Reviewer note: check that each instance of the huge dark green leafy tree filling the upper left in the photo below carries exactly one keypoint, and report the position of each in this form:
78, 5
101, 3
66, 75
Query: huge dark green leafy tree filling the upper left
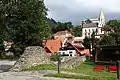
23, 21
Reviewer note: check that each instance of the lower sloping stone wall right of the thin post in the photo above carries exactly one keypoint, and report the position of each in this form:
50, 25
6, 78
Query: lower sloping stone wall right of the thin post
72, 62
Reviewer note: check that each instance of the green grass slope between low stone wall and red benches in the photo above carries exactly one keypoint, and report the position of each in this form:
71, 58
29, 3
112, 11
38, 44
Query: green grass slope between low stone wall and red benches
87, 68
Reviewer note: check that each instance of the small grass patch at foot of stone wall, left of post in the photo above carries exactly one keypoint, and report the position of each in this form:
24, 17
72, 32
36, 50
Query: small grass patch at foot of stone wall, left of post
42, 67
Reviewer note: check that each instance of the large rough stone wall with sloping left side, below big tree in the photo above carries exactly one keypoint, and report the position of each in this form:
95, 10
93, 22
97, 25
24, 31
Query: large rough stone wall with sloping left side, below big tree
32, 56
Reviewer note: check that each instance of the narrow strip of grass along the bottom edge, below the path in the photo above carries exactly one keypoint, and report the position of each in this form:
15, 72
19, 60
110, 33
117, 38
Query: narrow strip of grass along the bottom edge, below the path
80, 77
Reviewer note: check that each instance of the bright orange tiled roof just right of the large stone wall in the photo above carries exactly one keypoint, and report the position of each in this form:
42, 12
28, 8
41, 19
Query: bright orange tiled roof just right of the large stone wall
53, 45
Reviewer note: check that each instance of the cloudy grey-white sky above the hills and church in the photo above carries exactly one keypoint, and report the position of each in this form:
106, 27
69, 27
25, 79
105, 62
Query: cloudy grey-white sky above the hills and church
78, 10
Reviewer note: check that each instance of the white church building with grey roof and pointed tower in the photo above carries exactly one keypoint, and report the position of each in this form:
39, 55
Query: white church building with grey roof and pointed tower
95, 25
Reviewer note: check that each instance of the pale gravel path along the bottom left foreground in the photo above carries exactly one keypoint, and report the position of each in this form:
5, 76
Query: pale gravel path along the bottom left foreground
28, 76
